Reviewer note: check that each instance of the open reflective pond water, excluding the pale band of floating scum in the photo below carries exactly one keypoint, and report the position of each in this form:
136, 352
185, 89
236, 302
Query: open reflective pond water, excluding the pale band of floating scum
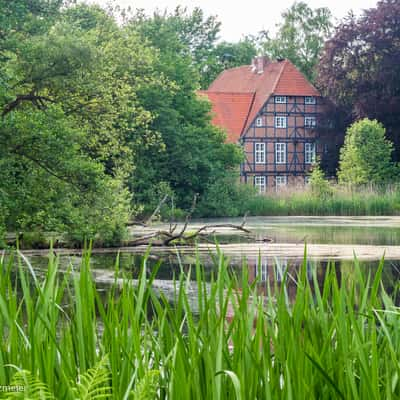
377, 231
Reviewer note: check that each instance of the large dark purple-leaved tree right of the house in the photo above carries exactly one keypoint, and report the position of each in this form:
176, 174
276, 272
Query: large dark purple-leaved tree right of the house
360, 68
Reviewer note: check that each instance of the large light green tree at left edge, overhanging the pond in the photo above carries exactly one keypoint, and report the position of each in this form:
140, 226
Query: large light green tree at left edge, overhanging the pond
71, 122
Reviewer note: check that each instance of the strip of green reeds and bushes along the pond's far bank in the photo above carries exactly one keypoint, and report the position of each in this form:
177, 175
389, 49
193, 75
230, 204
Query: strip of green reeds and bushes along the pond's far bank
326, 199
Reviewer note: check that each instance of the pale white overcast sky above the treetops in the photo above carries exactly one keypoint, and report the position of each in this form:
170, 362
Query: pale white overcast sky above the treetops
241, 17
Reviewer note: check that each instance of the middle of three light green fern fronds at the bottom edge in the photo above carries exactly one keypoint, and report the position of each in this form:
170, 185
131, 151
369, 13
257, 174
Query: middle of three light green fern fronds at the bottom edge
94, 384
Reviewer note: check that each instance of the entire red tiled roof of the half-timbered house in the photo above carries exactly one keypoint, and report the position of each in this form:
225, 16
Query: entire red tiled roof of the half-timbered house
277, 78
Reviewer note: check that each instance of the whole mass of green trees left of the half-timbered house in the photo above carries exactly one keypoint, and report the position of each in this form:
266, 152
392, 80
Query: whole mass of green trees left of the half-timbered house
92, 111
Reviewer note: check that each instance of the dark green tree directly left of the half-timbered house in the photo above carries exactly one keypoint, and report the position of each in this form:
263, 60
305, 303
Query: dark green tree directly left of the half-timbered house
192, 152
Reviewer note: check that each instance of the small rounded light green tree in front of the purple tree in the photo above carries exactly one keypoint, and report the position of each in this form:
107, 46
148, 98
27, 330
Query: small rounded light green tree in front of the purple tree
366, 155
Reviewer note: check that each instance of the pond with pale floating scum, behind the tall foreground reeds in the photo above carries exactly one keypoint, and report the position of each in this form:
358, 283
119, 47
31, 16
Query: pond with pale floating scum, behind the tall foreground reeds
332, 240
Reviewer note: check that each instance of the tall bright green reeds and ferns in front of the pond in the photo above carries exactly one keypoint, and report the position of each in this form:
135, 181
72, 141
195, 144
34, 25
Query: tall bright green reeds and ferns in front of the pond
62, 338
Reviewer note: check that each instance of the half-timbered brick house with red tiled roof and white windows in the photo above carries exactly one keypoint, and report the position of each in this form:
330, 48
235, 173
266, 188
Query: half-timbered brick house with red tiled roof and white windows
272, 110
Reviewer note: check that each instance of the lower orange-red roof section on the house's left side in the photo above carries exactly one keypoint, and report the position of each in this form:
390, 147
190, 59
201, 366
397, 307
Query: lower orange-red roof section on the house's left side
230, 111
